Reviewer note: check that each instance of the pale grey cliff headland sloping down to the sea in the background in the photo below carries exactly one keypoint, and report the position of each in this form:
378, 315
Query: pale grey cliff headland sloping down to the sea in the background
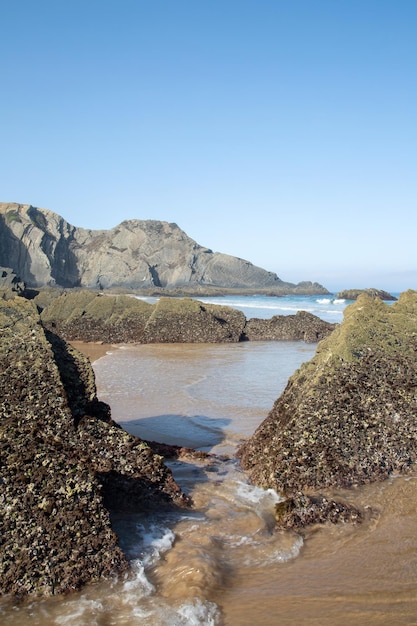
43, 249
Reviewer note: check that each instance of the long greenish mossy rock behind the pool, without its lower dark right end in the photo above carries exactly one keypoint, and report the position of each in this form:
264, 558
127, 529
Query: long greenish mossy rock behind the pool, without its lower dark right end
89, 316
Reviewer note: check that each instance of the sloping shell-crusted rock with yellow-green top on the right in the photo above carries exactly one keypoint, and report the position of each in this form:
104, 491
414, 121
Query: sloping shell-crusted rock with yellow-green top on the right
347, 417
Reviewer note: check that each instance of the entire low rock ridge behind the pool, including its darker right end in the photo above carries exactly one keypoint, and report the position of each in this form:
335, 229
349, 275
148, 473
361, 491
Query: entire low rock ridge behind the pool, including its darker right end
90, 316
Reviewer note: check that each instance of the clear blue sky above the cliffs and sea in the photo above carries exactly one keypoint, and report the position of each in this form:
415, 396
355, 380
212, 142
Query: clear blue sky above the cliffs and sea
283, 132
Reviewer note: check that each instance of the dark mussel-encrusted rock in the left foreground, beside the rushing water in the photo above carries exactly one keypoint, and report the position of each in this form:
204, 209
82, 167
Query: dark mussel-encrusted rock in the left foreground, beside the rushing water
65, 465
